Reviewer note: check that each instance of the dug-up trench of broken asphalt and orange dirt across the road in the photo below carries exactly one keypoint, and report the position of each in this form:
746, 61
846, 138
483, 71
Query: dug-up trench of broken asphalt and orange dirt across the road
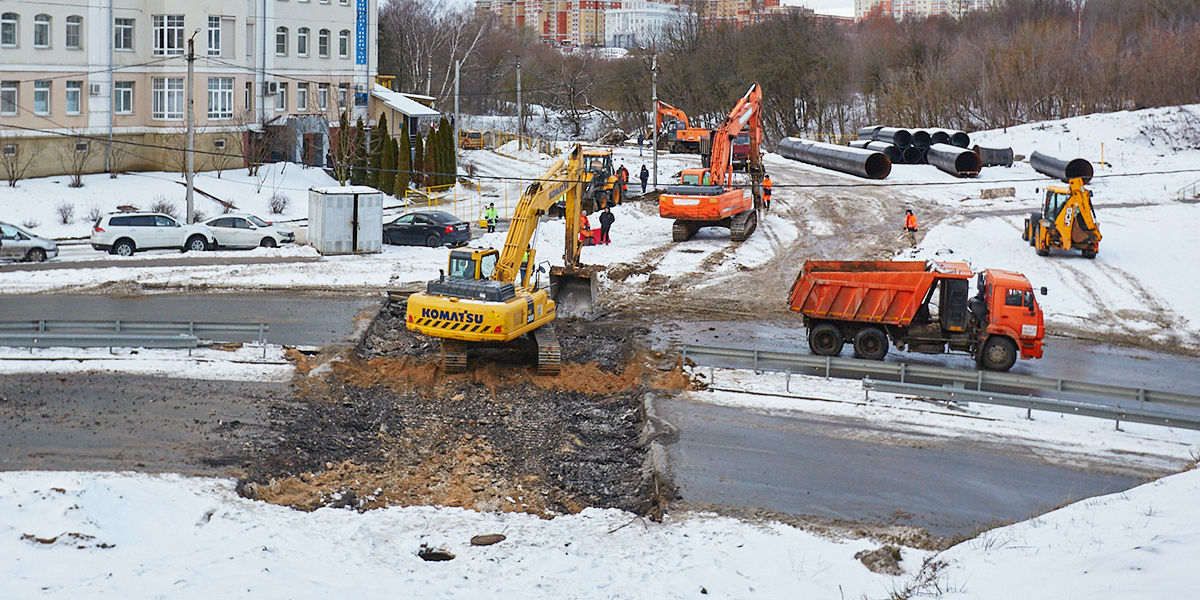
385, 427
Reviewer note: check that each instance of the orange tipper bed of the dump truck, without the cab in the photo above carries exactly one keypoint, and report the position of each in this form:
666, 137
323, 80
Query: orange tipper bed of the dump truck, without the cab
883, 292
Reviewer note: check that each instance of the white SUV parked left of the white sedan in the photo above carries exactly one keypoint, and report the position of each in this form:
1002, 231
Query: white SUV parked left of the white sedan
125, 233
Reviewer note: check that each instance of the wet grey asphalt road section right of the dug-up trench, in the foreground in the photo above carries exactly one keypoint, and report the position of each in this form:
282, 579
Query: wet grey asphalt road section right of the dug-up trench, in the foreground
803, 466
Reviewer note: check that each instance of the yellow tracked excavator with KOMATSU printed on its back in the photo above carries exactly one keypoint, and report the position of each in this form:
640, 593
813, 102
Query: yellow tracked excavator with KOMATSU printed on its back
490, 298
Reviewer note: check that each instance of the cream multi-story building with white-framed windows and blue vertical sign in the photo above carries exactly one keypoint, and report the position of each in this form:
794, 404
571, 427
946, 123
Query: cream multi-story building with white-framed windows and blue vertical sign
116, 70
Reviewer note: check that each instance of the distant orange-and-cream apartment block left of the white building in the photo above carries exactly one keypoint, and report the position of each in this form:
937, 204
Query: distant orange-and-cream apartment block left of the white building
560, 22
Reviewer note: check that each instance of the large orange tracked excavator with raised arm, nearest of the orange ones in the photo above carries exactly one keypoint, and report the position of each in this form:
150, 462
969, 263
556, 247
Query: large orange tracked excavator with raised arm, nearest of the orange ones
707, 197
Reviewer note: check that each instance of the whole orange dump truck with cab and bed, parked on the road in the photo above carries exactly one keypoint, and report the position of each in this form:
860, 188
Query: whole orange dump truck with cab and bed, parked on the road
921, 307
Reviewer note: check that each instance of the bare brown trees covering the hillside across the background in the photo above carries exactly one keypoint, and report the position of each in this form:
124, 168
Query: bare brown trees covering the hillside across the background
1021, 62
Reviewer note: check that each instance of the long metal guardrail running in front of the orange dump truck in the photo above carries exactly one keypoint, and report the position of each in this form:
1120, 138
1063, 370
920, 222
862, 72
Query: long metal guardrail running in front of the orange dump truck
987, 385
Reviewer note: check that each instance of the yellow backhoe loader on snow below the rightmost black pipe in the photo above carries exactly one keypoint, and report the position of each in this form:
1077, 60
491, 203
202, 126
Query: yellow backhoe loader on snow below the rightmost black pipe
1067, 221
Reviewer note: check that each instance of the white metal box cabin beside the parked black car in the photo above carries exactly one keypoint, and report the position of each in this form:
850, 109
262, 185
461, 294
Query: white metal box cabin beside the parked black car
346, 220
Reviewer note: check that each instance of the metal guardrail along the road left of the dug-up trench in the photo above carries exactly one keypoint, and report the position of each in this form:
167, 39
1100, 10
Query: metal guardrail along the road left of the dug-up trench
97, 334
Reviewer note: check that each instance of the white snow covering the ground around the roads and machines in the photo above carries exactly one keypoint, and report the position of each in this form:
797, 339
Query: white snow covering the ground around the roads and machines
151, 537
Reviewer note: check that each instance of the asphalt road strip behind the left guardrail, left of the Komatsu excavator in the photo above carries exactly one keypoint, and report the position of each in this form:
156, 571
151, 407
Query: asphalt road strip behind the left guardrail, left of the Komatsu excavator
296, 320
